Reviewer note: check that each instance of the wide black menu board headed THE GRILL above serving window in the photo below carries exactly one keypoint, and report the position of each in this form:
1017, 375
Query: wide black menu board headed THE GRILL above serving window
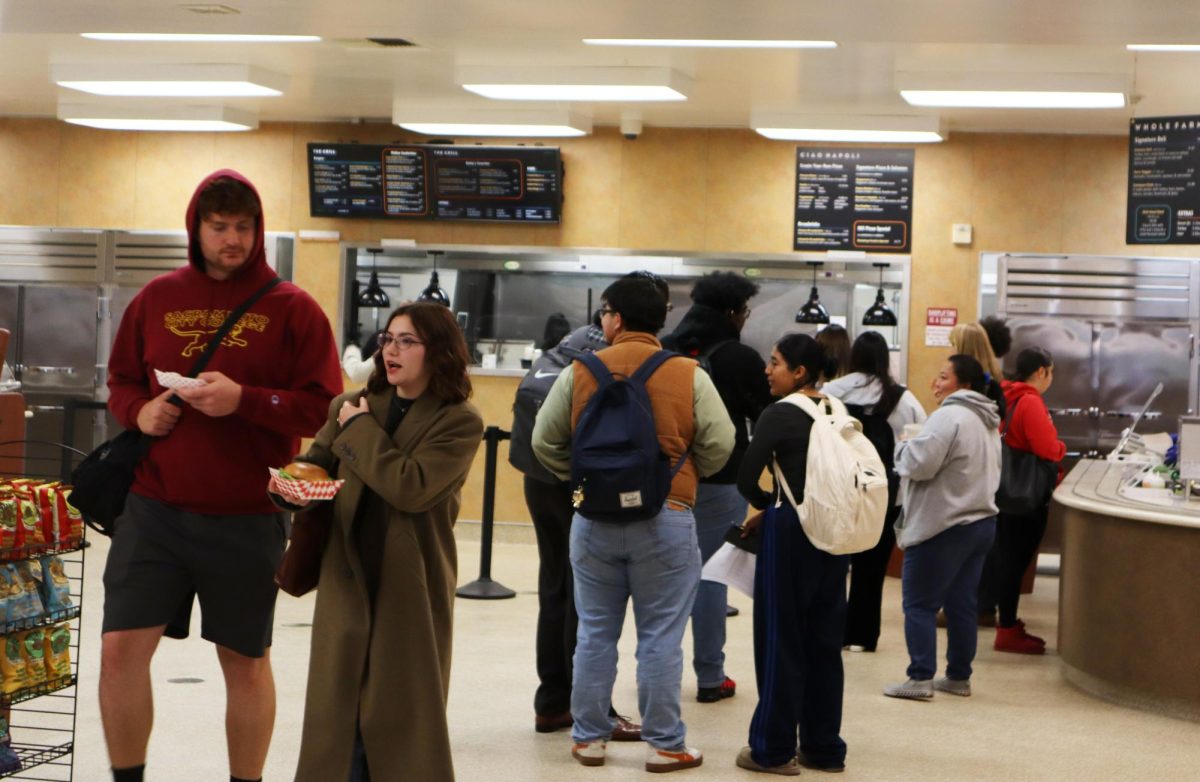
436, 182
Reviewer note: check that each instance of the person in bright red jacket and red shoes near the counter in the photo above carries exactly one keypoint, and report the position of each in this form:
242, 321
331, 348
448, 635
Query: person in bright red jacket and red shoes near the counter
1029, 429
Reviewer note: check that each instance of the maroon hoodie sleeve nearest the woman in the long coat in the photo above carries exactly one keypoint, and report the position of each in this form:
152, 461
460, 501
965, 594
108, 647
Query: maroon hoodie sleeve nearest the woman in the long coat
302, 408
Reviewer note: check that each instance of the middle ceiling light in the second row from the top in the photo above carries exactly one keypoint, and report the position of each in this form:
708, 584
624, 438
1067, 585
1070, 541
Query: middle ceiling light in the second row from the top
577, 85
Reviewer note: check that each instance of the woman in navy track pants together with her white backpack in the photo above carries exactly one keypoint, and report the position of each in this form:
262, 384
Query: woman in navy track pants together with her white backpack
800, 607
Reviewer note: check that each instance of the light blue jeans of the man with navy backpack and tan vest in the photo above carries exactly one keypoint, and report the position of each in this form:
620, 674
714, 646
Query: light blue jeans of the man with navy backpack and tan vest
657, 564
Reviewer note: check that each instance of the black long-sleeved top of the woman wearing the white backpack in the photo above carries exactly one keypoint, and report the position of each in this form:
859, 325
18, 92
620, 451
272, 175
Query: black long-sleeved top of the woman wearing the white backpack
782, 434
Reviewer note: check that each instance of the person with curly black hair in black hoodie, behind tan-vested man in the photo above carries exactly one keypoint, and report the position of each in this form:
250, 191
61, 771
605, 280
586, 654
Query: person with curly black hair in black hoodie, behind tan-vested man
711, 333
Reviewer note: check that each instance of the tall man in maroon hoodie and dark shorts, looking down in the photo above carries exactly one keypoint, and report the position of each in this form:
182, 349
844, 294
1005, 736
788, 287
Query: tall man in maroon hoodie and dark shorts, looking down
199, 522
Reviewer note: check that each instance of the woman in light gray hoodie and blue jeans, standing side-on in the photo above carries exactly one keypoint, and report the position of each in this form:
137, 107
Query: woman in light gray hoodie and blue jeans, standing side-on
952, 473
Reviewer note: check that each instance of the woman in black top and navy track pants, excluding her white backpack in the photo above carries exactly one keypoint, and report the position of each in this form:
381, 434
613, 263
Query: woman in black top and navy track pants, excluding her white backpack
800, 607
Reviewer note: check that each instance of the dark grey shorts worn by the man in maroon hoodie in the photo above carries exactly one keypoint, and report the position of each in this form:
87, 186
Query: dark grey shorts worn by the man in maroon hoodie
163, 558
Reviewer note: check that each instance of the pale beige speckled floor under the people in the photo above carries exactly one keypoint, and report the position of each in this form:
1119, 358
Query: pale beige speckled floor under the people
1024, 723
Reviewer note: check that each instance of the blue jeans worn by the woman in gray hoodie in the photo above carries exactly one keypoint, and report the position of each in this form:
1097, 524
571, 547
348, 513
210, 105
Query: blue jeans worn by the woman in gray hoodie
944, 573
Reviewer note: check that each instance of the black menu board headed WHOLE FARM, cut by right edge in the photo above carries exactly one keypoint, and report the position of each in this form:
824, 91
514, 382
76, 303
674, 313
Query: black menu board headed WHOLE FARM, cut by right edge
1165, 203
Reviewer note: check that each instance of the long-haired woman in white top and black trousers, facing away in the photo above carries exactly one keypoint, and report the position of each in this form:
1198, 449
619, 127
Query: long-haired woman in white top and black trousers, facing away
885, 408
